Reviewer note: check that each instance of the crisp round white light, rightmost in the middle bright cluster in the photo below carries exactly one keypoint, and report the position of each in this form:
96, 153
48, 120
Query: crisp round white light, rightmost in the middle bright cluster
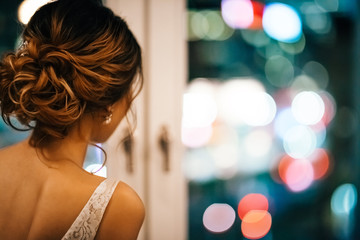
308, 107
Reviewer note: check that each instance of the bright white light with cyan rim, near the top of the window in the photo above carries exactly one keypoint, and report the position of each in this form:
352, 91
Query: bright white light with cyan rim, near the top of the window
282, 22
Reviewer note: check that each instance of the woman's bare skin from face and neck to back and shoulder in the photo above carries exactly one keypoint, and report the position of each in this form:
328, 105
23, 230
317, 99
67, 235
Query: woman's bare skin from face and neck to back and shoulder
42, 192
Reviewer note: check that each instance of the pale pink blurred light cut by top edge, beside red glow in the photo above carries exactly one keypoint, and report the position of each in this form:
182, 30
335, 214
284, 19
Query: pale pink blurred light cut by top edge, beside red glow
237, 13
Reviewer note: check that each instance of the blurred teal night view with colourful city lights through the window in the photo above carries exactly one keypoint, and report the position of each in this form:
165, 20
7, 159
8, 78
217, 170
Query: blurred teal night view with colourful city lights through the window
270, 117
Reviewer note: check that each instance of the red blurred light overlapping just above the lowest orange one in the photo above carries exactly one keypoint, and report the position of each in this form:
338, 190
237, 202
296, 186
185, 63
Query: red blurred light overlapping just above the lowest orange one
252, 201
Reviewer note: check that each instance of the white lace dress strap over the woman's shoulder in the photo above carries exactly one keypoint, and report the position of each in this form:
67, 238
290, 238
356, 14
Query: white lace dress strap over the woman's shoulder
87, 223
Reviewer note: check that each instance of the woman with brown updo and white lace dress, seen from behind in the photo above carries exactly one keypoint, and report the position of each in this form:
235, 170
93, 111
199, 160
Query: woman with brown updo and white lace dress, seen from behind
71, 82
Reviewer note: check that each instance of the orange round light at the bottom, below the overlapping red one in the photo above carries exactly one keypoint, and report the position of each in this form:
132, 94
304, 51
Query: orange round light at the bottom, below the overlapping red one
256, 224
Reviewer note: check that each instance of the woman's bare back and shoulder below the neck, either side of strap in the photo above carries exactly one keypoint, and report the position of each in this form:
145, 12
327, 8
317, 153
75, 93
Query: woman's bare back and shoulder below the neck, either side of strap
41, 202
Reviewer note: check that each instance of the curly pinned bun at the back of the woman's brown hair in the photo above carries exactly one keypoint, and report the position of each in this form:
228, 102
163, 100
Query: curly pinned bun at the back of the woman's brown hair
33, 88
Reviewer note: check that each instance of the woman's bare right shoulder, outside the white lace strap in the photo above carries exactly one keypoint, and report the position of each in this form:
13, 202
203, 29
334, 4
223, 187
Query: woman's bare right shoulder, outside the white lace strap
124, 215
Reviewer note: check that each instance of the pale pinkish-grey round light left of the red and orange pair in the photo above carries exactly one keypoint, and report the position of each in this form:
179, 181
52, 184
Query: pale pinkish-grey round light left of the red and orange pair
218, 217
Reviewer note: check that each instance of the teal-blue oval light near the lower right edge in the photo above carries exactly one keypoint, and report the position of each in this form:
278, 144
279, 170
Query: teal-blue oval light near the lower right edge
344, 199
